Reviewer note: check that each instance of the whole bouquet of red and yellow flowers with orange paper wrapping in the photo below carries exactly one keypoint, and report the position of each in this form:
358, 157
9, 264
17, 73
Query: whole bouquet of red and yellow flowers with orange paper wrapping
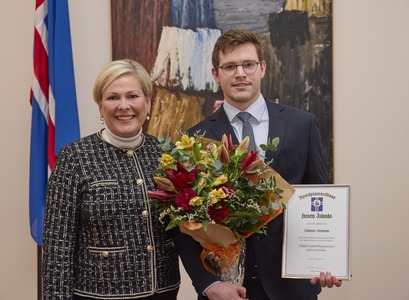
219, 194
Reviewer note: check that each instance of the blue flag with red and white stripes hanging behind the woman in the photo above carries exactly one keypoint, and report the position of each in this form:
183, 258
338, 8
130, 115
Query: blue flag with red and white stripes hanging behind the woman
53, 99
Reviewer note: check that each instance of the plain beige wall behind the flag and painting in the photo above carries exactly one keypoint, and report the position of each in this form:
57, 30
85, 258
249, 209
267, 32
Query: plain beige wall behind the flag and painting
371, 103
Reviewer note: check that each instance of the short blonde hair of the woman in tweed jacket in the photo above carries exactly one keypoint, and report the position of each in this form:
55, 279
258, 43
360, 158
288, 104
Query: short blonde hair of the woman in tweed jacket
117, 68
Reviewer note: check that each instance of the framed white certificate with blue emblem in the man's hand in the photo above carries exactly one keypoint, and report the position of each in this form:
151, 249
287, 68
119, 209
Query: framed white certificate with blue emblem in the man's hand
316, 232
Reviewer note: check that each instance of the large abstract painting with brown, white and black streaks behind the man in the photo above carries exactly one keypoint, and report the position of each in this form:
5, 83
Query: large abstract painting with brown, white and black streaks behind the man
174, 39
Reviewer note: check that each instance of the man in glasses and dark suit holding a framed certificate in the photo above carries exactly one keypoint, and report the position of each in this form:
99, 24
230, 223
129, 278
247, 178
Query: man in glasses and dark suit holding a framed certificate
238, 67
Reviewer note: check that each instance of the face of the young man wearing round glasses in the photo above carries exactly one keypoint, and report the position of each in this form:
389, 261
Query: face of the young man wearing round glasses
240, 90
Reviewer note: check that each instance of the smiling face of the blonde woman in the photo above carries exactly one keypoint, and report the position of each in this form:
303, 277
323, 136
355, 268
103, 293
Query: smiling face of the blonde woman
124, 106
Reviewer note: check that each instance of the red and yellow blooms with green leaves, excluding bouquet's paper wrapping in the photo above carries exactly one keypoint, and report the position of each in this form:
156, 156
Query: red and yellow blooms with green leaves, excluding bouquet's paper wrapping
225, 185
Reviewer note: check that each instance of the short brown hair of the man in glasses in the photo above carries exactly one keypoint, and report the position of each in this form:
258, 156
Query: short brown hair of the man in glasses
231, 39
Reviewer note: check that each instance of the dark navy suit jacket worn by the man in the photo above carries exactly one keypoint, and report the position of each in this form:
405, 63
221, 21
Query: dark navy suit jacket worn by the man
299, 160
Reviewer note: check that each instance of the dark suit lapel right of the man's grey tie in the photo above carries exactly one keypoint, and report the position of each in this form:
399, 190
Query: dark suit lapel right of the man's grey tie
277, 127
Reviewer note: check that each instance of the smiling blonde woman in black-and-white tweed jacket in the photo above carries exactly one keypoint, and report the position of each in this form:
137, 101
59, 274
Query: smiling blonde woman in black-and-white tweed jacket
102, 238
